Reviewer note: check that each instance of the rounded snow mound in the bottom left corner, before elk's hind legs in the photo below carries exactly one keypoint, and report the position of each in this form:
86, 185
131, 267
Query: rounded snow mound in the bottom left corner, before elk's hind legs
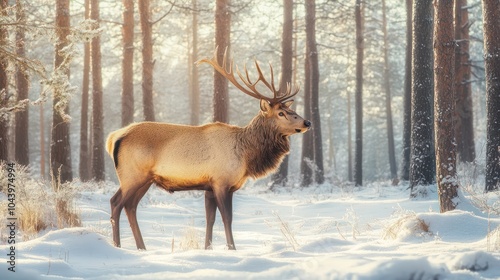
74, 252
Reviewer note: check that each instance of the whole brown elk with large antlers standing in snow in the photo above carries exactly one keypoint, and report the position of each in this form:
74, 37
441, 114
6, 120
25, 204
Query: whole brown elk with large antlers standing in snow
217, 158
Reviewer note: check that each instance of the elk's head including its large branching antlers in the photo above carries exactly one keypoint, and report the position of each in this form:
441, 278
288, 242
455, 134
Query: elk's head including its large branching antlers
276, 108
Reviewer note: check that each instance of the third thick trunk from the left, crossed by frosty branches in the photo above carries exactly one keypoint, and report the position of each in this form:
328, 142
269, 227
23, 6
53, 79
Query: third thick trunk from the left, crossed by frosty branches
60, 150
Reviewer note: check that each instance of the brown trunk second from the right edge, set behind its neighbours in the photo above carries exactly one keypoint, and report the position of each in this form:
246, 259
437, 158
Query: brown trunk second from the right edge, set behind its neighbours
464, 130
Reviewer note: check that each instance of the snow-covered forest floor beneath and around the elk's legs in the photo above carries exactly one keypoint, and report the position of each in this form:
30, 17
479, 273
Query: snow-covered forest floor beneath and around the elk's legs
324, 232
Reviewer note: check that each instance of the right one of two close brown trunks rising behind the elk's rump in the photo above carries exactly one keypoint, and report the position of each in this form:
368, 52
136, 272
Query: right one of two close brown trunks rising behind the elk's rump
147, 60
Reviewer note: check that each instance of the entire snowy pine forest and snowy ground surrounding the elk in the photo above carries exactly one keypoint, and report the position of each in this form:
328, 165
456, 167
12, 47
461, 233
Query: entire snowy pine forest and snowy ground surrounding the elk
397, 179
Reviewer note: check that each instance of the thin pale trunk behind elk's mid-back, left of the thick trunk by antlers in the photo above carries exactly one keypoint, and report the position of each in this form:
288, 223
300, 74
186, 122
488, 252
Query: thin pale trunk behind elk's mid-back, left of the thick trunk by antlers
195, 83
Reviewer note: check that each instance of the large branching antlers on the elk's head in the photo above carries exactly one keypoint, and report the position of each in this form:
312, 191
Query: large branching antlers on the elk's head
250, 88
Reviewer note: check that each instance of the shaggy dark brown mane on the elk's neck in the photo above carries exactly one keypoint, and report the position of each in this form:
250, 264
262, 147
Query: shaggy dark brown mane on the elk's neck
262, 146
